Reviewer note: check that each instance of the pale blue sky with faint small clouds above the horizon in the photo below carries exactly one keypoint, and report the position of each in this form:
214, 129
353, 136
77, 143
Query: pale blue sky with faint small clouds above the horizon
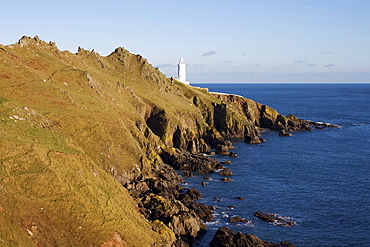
220, 41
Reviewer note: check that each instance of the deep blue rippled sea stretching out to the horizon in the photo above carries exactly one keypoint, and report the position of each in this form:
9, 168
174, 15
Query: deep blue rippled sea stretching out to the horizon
320, 179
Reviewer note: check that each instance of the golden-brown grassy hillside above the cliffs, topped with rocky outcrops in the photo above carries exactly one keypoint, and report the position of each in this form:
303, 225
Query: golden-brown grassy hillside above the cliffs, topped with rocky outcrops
71, 124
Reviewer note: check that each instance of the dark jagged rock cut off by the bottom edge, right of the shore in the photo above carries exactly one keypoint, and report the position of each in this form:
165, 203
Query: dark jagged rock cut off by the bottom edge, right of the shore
227, 237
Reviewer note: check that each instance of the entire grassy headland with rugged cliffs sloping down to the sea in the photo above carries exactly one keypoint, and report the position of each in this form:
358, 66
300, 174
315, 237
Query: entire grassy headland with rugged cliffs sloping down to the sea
87, 144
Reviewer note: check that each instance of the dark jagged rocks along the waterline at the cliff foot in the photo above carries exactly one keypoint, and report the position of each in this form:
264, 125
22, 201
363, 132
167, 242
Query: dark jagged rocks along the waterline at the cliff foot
163, 198
